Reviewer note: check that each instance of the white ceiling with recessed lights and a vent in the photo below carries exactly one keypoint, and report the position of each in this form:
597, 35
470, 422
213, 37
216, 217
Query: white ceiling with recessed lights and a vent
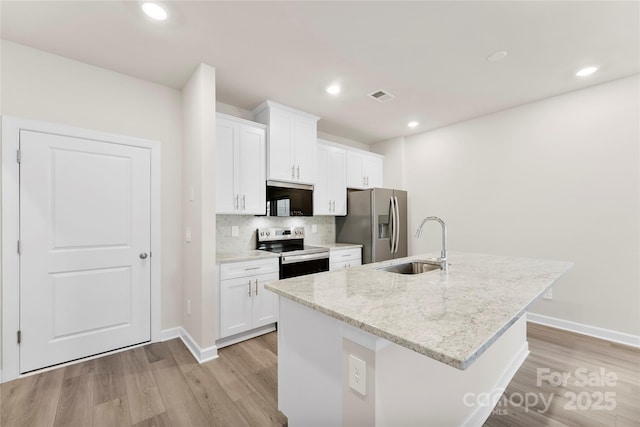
430, 55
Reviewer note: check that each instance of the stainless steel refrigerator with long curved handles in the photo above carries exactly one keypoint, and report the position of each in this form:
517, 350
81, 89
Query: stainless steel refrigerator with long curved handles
377, 219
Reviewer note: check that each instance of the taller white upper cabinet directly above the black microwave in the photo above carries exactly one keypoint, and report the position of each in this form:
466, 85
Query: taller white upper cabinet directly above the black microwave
291, 143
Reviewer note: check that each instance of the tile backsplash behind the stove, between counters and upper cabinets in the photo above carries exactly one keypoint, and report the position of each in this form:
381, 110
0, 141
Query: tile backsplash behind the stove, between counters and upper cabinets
247, 226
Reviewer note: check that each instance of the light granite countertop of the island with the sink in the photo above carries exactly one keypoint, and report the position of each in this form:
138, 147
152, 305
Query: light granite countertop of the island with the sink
452, 317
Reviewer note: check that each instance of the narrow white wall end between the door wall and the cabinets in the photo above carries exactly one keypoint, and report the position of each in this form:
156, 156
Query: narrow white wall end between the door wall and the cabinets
199, 276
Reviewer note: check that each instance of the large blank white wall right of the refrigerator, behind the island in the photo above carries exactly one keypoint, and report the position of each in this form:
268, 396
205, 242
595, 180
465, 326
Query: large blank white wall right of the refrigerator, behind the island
556, 179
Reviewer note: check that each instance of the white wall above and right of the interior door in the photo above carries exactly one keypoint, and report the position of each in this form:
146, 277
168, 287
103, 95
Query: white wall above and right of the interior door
41, 86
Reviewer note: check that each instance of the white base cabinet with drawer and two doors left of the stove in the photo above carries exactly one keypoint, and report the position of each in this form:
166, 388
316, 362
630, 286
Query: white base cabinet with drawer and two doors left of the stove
244, 303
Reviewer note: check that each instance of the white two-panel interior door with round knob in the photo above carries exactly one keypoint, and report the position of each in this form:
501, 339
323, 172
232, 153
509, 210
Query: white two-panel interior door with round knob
85, 282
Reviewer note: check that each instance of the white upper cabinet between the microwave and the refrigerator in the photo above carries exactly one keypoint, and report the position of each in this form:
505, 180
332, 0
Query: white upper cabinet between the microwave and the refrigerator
330, 191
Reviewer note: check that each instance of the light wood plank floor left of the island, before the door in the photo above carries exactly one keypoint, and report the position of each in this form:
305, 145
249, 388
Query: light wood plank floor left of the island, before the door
159, 384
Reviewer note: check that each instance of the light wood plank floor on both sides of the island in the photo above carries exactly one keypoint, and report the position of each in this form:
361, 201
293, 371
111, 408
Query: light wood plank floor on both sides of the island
162, 385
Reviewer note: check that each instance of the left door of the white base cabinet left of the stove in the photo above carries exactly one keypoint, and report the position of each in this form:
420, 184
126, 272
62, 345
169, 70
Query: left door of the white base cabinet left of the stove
235, 305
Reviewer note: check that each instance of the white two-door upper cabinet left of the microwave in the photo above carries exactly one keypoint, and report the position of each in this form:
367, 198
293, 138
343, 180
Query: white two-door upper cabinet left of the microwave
240, 166
